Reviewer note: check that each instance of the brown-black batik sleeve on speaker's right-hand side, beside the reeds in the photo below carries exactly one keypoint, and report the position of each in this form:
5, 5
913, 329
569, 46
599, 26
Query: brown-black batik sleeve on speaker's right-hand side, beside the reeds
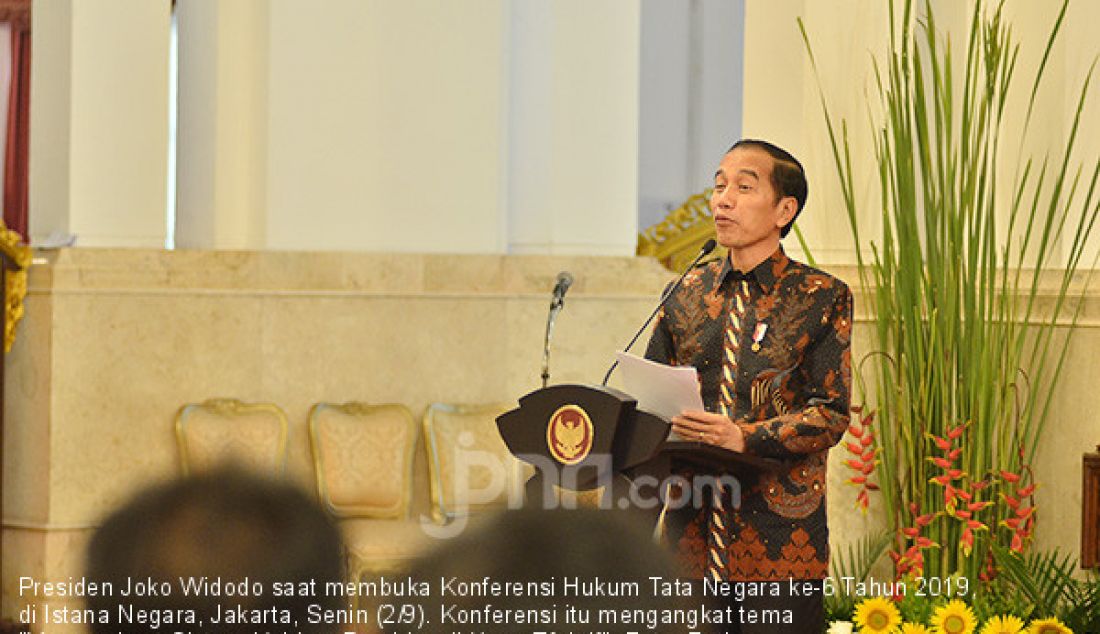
821, 420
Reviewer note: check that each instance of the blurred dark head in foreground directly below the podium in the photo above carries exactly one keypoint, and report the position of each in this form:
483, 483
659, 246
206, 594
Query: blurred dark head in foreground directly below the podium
562, 571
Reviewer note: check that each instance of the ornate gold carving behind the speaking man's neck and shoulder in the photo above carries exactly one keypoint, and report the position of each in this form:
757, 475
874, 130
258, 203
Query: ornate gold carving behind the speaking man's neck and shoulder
676, 242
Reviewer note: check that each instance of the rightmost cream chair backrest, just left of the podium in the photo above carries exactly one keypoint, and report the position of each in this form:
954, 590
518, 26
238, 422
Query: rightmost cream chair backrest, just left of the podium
470, 468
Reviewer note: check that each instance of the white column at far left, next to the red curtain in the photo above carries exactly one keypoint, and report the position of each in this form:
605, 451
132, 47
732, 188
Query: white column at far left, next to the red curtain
100, 122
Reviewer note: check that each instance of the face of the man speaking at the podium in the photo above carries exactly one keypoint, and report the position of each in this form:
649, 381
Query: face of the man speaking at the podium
744, 203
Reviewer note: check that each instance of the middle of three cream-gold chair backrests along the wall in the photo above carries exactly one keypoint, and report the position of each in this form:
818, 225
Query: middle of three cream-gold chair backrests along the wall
364, 458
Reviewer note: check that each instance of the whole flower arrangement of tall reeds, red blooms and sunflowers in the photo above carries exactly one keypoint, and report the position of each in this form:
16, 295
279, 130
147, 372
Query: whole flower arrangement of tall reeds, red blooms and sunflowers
965, 363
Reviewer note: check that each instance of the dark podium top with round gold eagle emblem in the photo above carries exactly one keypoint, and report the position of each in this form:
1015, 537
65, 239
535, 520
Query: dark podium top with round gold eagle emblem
582, 438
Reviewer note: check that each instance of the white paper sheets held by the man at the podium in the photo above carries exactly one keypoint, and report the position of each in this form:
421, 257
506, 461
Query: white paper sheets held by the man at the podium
663, 390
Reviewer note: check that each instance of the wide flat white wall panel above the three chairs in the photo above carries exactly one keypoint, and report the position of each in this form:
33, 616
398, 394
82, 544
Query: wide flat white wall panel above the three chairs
386, 126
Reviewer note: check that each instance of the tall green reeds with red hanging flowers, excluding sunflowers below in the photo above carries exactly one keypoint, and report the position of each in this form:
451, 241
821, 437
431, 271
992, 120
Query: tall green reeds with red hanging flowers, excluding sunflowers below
966, 354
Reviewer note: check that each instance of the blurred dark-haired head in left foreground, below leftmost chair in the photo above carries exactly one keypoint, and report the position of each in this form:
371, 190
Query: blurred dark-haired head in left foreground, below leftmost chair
227, 526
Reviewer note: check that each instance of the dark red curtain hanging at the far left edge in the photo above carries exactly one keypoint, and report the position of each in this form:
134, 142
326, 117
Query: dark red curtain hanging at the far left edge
18, 13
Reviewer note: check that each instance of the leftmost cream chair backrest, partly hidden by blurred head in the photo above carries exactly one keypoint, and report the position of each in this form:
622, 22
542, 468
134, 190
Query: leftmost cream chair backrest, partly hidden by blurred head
221, 431
